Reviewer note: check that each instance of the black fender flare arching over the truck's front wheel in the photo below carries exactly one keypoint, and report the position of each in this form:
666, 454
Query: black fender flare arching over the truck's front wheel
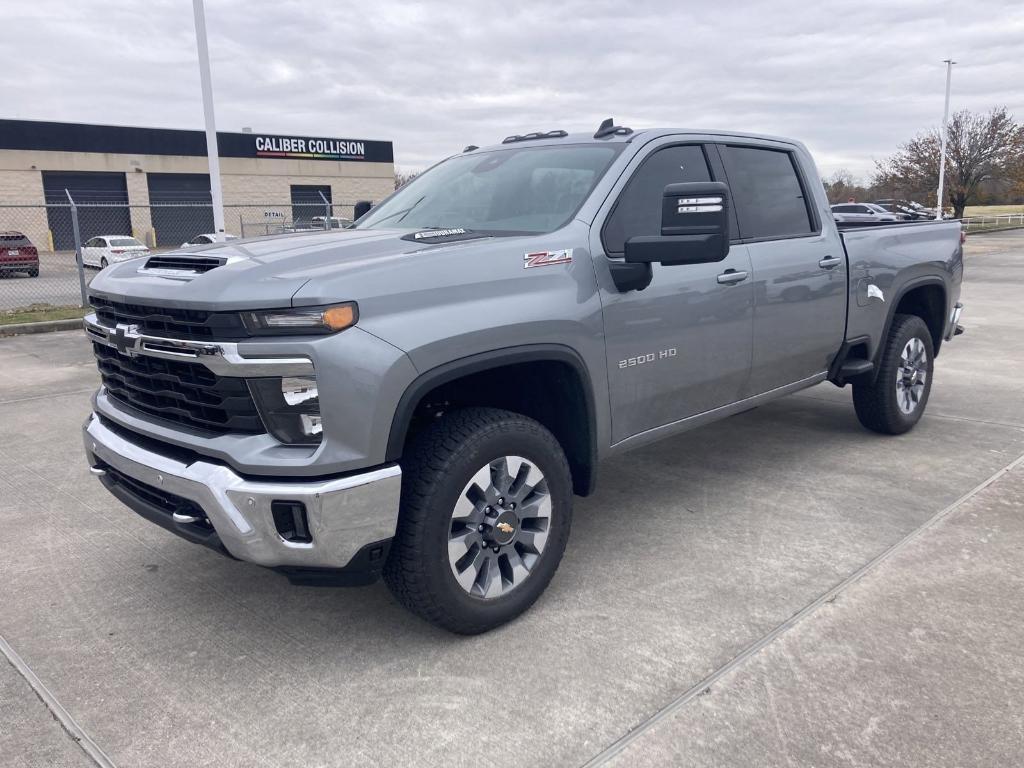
476, 364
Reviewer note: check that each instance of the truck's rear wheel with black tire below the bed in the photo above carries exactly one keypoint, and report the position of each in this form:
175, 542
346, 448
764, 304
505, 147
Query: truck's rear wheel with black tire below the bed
895, 402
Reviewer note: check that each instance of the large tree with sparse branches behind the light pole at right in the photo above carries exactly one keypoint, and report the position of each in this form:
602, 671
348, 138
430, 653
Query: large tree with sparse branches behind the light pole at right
980, 148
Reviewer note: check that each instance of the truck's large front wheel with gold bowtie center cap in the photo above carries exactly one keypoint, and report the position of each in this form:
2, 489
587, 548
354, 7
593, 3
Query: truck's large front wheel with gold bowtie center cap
487, 505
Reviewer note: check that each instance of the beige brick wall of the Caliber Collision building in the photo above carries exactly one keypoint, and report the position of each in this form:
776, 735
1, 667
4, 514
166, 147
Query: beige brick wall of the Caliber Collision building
251, 186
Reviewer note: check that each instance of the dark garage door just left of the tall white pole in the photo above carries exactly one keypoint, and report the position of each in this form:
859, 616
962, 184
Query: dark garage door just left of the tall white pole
181, 206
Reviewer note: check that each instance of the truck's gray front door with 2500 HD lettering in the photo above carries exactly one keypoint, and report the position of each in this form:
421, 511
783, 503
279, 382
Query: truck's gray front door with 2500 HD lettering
682, 346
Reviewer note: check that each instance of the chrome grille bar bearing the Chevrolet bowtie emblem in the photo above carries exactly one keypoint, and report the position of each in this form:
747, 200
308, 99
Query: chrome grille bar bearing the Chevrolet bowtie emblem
223, 358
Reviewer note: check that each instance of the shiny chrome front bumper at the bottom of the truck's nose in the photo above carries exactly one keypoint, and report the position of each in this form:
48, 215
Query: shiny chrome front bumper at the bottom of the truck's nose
345, 514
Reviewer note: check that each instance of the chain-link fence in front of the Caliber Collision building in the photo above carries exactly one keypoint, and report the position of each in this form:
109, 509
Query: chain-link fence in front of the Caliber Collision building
41, 245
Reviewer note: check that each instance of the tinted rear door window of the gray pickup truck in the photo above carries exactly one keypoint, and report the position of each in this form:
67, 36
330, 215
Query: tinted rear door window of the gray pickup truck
766, 192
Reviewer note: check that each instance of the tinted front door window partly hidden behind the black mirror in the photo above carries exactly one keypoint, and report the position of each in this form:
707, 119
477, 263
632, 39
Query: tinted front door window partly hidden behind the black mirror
638, 210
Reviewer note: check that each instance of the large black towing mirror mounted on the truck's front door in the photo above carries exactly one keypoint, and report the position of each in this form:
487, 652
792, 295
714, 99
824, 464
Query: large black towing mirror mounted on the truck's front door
695, 228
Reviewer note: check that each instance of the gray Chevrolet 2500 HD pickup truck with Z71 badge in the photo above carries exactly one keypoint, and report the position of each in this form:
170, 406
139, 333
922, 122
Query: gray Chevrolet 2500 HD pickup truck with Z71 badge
422, 395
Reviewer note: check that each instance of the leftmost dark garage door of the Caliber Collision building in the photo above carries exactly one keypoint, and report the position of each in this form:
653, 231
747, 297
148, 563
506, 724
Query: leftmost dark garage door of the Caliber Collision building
103, 201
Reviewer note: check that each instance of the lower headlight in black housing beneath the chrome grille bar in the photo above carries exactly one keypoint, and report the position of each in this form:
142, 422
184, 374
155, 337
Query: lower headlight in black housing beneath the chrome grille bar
290, 408
